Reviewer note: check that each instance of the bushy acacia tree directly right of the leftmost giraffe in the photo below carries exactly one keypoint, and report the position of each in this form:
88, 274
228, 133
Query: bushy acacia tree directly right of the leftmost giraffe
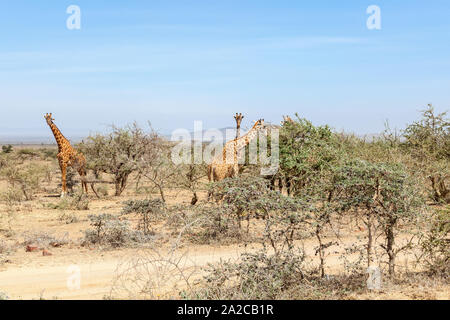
119, 152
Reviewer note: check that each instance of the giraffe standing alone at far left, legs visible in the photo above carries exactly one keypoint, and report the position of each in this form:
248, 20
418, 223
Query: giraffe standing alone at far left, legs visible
67, 156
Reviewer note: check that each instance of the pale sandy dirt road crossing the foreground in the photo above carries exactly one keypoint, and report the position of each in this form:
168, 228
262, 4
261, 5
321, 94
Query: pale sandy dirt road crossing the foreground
91, 279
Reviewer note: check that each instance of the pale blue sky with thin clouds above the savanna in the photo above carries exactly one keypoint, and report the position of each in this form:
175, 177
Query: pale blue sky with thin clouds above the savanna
173, 62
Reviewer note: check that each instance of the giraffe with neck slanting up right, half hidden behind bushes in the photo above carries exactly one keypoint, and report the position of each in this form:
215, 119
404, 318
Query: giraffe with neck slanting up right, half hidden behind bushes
221, 168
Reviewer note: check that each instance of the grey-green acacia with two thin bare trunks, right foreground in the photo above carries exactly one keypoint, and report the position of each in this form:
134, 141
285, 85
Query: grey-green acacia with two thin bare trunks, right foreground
383, 195
